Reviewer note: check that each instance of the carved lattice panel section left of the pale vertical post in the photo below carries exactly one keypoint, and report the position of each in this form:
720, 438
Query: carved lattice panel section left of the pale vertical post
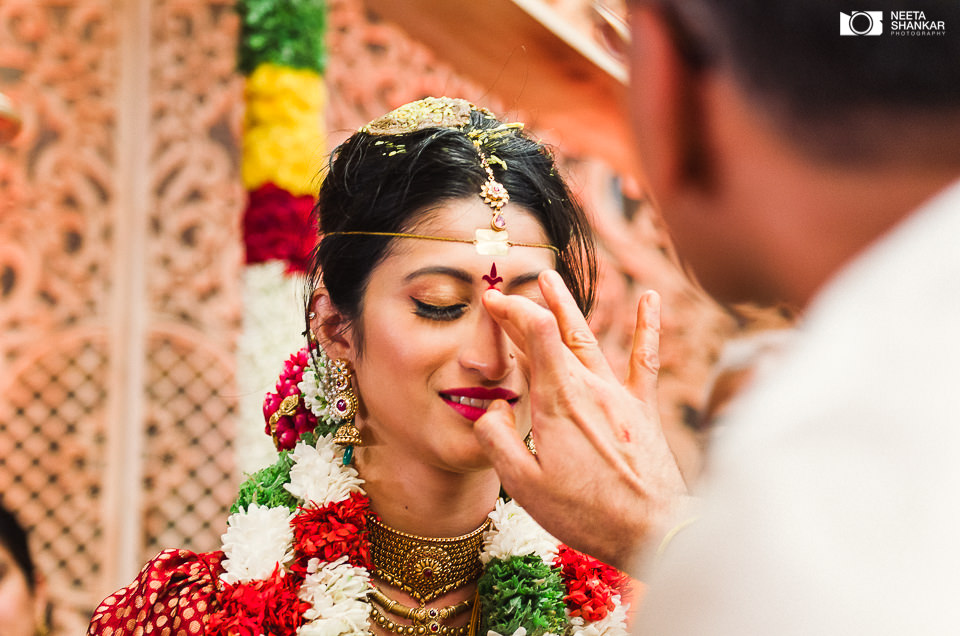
57, 191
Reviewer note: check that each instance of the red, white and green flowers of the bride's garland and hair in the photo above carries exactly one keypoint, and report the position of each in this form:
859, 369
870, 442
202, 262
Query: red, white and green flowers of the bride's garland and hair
297, 553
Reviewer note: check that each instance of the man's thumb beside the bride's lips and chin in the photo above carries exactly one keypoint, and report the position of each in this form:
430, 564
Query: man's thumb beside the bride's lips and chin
496, 432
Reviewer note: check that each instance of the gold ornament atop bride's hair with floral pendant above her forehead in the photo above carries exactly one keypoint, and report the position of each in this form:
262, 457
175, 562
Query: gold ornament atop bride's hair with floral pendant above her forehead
452, 113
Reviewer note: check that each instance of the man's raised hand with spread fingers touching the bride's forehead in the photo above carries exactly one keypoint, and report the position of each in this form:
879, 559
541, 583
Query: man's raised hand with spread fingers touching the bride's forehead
604, 480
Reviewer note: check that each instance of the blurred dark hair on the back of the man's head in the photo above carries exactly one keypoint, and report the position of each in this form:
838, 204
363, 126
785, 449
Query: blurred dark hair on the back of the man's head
842, 97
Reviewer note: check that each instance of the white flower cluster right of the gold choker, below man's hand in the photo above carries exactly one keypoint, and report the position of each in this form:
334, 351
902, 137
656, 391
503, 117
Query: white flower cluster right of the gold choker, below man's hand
515, 533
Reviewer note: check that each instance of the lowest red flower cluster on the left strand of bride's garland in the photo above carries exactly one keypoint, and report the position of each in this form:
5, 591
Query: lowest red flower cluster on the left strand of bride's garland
270, 606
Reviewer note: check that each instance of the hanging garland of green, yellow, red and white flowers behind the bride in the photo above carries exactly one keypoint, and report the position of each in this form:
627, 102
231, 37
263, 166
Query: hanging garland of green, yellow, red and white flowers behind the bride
282, 54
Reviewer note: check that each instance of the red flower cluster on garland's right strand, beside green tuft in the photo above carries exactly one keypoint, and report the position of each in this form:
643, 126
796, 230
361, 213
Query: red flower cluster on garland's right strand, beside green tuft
591, 584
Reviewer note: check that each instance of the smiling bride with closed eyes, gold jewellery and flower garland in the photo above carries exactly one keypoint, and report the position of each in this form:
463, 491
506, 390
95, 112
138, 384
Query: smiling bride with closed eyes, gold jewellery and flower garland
382, 514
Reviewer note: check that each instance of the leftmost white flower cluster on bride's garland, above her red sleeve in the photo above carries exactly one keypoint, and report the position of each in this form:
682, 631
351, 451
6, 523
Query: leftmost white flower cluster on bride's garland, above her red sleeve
257, 539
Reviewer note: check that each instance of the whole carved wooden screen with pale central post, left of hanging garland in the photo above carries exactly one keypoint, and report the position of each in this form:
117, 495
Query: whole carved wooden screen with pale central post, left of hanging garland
119, 284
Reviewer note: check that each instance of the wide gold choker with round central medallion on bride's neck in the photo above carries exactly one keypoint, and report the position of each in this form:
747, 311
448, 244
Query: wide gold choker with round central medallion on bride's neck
424, 567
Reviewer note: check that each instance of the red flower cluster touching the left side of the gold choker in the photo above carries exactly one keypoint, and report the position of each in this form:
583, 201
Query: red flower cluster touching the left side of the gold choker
335, 530
